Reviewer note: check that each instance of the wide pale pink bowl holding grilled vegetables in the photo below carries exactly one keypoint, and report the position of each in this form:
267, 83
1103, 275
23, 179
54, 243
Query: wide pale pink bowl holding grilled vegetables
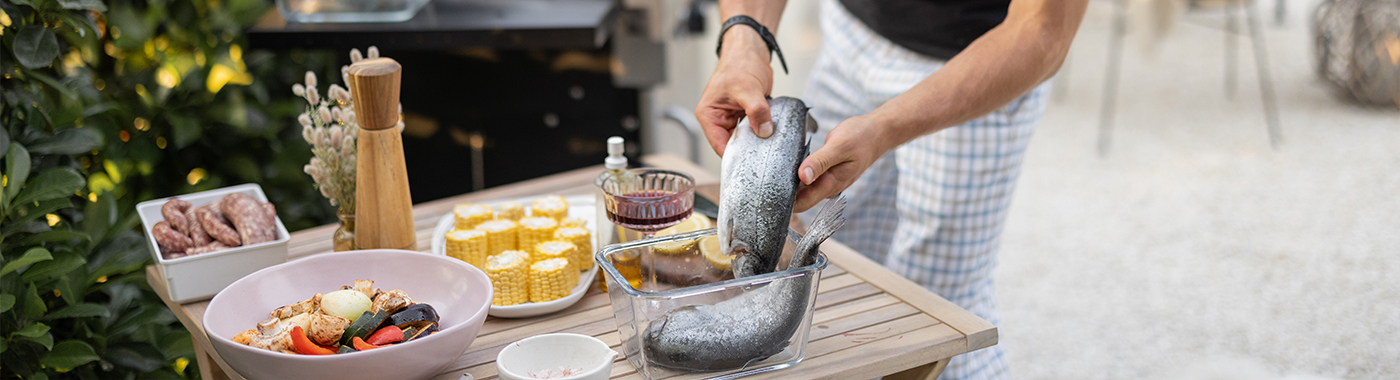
460, 292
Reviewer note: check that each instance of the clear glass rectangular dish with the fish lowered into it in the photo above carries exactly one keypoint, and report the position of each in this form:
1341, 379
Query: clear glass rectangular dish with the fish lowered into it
652, 283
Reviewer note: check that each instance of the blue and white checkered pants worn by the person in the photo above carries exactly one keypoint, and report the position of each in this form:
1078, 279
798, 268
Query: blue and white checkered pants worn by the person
934, 208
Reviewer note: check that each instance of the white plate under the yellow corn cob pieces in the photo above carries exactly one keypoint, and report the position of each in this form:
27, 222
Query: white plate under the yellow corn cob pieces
580, 207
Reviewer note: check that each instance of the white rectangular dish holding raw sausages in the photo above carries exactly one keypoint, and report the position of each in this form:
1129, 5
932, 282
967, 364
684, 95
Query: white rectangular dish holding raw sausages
202, 277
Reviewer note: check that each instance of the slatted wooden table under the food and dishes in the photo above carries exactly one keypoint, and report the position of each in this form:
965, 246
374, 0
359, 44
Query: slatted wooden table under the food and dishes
869, 322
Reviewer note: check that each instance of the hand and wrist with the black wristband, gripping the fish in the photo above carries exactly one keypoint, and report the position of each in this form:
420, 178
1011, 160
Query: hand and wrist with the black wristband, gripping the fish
744, 76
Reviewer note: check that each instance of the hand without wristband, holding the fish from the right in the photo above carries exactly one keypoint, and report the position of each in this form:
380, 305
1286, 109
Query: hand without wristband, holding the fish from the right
850, 149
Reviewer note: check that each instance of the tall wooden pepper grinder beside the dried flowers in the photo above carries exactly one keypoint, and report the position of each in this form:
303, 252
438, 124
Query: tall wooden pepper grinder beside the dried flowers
384, 208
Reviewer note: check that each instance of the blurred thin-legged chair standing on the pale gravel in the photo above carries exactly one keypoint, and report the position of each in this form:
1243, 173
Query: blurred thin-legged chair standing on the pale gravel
1230, 8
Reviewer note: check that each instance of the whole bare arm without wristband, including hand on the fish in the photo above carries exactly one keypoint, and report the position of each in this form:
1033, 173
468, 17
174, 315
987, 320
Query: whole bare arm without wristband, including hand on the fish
1004, 64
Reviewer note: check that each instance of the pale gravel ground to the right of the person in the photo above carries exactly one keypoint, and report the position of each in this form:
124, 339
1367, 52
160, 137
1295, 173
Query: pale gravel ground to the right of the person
1193, 250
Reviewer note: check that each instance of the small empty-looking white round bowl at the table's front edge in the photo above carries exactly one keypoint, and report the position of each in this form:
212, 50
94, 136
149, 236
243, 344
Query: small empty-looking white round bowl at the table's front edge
586, 357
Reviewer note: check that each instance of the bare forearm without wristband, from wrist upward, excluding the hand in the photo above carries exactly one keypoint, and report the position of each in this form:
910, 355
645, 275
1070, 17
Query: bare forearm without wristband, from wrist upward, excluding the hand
1009, 61
